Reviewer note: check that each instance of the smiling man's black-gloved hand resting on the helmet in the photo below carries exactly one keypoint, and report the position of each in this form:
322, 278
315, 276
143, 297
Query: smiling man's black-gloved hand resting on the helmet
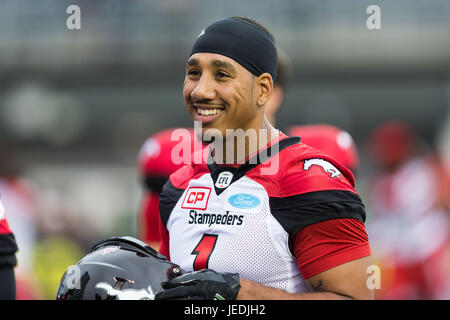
201, 285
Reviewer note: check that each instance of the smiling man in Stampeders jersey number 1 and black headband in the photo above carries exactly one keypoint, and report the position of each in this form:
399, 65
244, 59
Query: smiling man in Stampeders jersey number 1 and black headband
296, 233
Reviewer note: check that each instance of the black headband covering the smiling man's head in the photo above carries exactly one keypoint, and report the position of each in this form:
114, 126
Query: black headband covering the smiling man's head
247, 44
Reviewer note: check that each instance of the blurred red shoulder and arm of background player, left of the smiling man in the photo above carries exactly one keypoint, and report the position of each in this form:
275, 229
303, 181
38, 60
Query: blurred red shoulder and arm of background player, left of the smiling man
160, 156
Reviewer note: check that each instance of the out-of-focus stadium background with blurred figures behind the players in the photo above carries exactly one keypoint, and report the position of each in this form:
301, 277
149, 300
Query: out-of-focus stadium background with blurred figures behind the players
77, 105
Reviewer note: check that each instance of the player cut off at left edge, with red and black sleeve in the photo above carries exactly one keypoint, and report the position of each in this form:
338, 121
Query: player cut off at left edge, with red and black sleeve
8, 260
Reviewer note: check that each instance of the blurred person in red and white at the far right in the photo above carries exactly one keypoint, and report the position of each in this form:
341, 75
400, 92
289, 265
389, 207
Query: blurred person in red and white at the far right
408, 226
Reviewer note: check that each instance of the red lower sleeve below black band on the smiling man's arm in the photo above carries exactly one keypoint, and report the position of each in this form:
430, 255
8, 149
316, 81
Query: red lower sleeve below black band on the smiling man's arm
324, 245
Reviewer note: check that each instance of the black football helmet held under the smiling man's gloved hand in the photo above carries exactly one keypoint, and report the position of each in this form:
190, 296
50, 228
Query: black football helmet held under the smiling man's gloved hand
118, 268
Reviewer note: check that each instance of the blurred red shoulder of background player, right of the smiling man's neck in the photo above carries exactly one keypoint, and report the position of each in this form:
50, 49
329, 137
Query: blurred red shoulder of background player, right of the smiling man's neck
332, 140
